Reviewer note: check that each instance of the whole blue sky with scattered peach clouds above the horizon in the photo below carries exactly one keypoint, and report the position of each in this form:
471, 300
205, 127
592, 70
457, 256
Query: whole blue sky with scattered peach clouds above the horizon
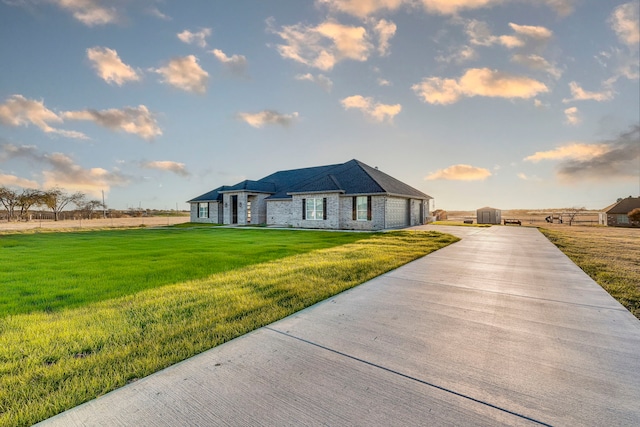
514, 104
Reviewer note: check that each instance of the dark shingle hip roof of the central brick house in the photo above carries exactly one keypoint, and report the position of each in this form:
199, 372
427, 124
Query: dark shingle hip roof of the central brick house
352, 177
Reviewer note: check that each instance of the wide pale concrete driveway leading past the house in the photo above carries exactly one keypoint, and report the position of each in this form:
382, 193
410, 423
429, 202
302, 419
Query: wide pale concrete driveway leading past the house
498, 329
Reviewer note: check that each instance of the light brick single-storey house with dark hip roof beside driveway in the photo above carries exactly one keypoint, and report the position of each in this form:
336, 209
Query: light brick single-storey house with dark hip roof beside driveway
348, 196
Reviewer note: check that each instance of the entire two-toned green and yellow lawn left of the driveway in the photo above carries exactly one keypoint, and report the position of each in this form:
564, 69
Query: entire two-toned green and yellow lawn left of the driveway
94, 311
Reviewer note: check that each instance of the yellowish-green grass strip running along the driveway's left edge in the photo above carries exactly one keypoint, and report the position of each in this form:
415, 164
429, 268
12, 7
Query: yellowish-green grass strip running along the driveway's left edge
52, 361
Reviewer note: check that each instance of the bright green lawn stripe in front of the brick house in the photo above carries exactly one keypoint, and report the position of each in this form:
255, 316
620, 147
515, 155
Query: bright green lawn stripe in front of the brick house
50, 271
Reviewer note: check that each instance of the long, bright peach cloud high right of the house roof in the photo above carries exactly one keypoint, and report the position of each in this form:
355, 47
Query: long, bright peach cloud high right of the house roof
477, 82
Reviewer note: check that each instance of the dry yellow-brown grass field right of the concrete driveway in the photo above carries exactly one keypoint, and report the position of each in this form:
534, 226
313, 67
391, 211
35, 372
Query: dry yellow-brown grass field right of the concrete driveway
610, 255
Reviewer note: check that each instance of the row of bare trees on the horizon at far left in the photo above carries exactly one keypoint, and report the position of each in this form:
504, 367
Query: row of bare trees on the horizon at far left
18, 202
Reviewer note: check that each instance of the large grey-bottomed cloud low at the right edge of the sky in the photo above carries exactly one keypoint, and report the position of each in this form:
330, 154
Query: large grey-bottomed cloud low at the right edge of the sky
608, 160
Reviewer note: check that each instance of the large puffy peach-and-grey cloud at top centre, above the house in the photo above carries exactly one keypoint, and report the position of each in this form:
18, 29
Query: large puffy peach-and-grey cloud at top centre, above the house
324, 45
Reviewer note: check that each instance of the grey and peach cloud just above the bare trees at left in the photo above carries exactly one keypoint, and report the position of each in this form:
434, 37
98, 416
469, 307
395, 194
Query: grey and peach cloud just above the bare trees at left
59, 170
